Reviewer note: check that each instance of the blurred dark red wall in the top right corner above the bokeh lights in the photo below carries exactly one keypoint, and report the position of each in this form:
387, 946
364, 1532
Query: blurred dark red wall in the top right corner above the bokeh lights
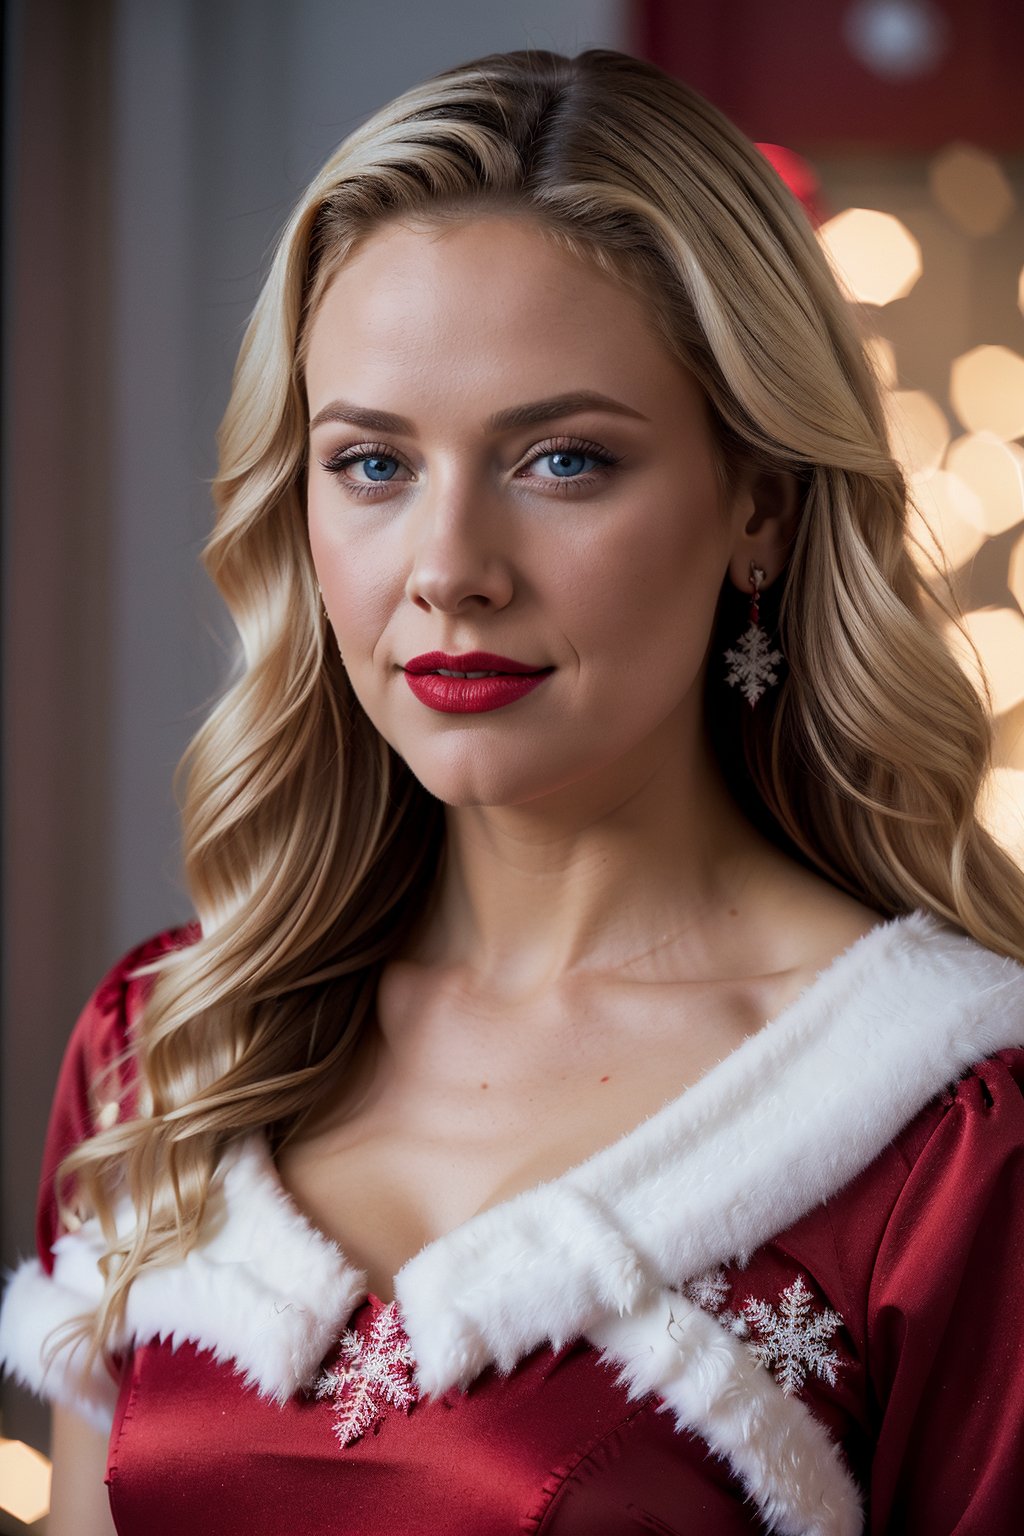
787, 71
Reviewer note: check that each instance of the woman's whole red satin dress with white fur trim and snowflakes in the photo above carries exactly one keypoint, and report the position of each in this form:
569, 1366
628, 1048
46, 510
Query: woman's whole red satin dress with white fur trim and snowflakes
788, 1302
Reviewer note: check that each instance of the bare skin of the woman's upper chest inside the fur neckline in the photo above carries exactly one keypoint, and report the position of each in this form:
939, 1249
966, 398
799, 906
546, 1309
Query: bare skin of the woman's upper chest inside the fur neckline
458, 1105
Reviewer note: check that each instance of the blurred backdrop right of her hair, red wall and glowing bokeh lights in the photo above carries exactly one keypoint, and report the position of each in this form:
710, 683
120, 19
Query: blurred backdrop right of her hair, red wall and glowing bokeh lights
902, 125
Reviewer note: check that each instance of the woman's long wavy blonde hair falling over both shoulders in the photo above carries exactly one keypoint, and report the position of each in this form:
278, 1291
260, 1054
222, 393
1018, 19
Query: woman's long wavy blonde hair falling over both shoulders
311, 849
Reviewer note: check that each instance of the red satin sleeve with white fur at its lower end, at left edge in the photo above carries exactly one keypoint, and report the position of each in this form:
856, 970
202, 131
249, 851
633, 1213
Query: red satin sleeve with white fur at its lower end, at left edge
64, 1282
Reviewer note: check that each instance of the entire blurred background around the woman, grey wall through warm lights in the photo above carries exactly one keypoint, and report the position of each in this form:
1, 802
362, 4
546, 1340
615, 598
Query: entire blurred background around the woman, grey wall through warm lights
153, 150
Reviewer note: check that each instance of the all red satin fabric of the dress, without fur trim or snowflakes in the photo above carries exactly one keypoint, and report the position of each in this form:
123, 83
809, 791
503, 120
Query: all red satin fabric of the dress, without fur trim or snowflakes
922, 1257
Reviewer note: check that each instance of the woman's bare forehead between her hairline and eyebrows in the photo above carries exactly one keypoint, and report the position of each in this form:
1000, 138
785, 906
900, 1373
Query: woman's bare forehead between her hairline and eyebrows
480, 316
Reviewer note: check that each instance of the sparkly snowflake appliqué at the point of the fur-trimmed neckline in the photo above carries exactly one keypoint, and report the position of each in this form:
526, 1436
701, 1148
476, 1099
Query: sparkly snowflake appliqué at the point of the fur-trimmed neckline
374, 1374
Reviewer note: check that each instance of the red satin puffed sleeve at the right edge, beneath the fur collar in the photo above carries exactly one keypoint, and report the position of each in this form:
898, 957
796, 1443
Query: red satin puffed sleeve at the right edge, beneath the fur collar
946, 1320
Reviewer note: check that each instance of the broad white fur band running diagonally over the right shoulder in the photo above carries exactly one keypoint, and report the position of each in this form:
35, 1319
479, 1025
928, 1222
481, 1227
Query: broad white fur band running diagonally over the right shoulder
770, 1133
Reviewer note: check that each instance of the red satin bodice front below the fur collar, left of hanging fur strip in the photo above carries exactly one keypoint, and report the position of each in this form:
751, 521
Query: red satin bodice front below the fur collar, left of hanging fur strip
555, 1448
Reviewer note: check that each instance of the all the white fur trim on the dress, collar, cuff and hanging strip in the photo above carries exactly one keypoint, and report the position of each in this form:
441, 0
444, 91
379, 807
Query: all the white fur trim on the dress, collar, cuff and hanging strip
770, 1133
